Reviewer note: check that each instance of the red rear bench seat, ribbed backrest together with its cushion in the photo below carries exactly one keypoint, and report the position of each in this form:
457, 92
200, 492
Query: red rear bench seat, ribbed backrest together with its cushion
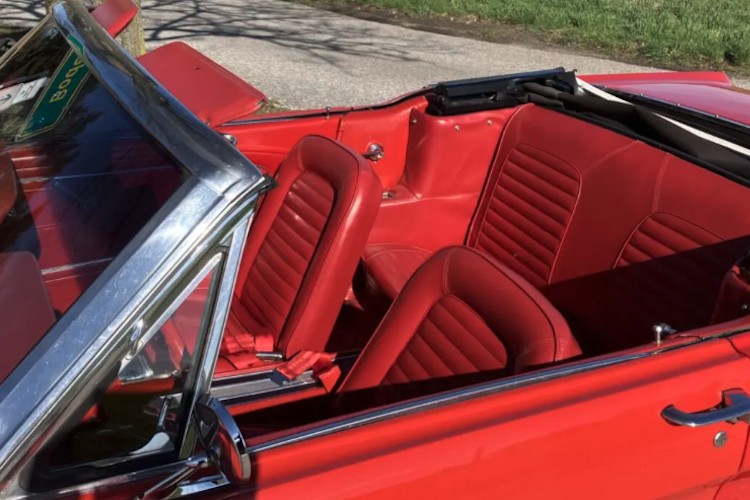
566, 199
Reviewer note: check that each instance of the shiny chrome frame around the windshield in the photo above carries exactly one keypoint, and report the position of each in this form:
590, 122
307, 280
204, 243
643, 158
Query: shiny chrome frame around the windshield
217, 198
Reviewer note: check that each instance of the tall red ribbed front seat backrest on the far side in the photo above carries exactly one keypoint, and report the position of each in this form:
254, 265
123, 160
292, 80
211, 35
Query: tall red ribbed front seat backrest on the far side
305, 243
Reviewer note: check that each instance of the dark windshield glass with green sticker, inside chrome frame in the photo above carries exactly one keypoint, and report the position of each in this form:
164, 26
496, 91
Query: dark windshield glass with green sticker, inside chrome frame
78, 179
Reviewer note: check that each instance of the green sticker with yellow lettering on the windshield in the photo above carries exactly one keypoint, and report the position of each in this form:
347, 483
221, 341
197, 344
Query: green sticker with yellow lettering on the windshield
59, 94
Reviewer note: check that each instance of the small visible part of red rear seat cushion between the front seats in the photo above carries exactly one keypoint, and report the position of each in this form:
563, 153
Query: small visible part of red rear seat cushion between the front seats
389, 267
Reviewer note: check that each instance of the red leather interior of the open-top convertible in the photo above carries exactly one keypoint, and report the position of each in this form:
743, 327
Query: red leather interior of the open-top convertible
444, 239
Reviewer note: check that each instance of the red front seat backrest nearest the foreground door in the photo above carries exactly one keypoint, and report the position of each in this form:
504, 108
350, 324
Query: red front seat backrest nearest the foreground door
462, 313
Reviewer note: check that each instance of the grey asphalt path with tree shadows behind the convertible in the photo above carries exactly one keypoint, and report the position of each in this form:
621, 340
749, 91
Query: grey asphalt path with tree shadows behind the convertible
307, 57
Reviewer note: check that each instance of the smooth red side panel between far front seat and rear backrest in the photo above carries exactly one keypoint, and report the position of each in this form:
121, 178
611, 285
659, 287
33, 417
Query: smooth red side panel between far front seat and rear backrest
445, 169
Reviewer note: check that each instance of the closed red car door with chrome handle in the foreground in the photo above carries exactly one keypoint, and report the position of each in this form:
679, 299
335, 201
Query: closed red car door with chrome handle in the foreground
594, 429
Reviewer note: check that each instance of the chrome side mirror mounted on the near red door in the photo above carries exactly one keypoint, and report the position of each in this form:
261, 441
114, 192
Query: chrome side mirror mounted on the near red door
223, 446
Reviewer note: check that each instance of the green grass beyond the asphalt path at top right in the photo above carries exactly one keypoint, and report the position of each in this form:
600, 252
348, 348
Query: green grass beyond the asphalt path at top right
712, 34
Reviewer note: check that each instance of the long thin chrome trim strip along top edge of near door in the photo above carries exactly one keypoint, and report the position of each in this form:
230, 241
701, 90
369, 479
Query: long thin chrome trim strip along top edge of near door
454, 396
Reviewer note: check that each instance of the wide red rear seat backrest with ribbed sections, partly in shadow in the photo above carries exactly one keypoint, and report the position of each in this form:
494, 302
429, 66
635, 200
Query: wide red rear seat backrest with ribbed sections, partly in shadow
619, 234
